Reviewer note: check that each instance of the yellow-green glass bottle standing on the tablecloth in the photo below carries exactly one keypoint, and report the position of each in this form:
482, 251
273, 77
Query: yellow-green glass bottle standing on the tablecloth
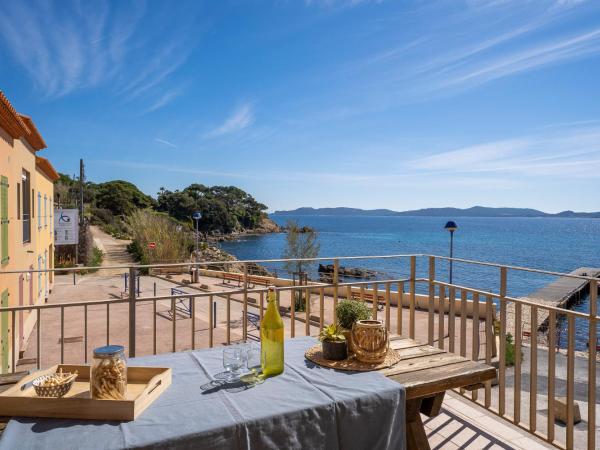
271, 337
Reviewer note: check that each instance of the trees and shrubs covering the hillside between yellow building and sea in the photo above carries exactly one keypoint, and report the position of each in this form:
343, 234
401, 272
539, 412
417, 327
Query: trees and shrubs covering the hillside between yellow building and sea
124, 211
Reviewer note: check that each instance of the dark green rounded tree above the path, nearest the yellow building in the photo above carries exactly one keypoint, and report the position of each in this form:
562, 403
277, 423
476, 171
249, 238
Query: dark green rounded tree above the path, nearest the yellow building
120, 197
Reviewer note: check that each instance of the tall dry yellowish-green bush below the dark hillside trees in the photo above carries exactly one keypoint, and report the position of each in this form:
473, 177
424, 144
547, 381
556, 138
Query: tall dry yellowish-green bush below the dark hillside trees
145, 226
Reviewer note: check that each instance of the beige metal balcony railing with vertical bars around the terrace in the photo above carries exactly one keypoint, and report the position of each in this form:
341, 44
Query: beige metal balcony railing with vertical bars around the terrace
468, 321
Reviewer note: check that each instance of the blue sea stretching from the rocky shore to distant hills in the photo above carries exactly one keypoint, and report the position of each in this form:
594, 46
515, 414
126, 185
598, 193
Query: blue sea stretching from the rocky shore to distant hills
553, 244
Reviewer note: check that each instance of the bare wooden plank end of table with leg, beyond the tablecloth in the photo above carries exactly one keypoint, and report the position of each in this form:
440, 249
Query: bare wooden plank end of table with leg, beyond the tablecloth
427, 373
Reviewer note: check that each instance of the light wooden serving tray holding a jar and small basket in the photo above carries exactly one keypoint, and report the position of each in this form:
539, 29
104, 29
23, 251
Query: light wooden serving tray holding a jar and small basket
144, 385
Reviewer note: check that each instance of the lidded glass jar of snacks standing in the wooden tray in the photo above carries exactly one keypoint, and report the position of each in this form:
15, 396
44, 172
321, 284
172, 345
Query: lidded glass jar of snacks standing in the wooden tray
108, 375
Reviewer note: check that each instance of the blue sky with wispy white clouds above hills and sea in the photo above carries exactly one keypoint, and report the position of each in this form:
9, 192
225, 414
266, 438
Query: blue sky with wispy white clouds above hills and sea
382, 104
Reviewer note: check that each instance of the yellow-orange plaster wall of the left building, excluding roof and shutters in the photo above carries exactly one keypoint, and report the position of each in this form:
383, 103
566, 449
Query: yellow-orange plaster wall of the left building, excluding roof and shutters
25, 289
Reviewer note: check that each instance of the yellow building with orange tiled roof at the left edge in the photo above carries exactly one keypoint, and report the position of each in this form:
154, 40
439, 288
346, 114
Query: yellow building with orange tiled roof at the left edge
27, 226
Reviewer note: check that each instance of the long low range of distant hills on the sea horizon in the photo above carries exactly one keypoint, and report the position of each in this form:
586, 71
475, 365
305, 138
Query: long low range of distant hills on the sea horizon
475, 211
